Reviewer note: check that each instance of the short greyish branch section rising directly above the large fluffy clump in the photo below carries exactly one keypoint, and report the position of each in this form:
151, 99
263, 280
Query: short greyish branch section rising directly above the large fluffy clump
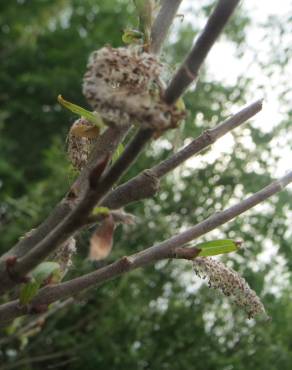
162, 24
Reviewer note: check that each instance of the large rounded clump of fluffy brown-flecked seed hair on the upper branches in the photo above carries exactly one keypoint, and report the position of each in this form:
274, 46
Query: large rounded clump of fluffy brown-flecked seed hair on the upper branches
124, 86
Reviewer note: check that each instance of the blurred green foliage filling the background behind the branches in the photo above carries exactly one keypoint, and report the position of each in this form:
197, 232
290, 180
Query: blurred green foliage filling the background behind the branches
157, 318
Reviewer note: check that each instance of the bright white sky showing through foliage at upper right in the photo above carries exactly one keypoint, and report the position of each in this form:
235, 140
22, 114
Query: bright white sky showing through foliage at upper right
226, 67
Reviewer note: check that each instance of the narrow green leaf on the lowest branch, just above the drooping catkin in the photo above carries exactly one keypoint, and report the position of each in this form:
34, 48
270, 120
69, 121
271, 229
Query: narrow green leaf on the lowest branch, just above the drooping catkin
216, 247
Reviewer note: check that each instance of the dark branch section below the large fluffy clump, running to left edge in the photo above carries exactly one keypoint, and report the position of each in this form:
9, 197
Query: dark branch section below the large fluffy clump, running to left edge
99, 185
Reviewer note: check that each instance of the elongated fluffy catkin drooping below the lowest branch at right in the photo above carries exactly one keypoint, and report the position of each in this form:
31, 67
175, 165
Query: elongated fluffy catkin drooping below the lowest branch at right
230, 283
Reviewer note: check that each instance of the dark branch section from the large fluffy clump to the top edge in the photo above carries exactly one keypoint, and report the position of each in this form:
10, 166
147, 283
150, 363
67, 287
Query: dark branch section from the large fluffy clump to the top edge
188, 71
